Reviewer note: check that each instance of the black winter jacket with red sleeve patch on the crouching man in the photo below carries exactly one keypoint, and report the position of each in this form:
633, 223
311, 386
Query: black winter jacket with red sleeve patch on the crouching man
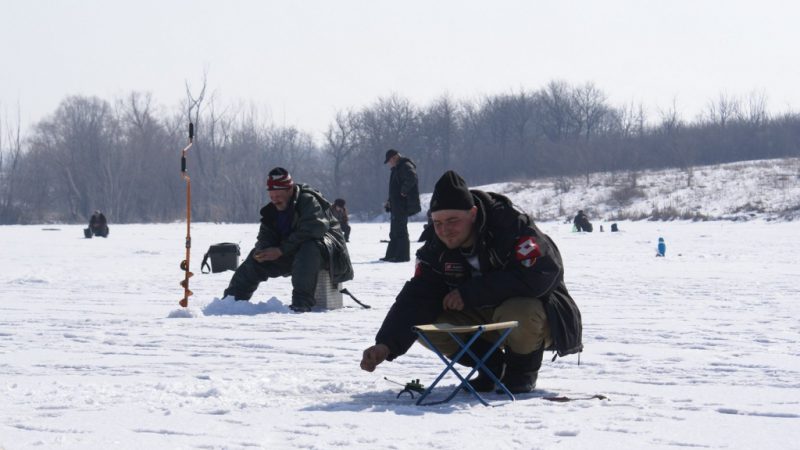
516, 260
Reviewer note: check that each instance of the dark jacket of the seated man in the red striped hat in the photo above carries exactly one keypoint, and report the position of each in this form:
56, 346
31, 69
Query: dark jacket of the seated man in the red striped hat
312, 220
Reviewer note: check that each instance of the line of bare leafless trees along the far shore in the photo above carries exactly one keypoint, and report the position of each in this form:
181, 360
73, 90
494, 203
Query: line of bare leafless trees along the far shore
122, 156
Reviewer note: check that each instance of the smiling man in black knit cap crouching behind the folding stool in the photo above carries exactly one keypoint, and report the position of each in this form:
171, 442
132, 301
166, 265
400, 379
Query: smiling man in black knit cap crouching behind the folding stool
487, 262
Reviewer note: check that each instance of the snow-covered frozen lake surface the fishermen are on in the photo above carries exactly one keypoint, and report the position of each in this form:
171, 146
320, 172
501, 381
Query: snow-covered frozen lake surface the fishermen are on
698, 349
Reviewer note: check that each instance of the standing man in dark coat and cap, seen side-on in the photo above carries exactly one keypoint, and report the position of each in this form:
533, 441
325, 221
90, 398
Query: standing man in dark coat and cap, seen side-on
403, 202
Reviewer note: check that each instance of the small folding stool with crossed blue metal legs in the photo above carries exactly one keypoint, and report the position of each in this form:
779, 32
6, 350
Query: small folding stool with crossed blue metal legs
453, 331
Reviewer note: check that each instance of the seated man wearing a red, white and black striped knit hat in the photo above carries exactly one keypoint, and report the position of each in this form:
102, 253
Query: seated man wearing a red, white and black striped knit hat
298, 236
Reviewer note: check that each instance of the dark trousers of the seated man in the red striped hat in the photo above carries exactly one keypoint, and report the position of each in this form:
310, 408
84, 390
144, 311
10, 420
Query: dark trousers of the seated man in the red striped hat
303, 266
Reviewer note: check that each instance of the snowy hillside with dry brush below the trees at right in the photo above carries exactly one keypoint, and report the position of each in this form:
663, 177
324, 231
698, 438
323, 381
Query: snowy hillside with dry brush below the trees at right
768, 189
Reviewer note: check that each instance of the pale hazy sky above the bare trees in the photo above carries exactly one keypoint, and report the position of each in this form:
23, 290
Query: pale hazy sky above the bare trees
301, 61
